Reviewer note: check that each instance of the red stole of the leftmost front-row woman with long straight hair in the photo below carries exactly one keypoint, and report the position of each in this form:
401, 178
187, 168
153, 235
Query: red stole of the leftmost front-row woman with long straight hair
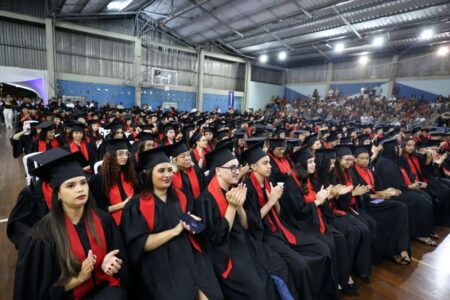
99, 250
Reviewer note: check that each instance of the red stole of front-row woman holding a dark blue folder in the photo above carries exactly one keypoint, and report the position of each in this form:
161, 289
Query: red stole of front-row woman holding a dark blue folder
147, 209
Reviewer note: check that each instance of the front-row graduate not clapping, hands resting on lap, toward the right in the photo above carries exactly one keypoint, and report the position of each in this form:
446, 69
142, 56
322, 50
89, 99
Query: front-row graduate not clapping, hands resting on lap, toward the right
391, 216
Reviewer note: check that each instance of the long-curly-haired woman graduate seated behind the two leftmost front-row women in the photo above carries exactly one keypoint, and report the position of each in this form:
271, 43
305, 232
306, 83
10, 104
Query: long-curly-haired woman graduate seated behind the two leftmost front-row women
117, 180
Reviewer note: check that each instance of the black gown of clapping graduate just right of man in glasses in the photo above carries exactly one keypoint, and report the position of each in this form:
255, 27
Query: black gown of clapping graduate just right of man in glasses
309, 260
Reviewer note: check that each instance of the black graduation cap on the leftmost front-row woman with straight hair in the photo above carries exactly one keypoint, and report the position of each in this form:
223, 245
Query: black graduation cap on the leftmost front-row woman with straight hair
58, 165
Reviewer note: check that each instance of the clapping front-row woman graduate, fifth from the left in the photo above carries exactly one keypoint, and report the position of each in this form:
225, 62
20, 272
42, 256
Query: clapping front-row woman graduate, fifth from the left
305, 209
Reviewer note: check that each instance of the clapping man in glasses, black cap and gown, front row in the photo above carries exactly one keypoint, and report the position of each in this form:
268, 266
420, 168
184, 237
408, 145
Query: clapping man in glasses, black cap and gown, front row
243, 265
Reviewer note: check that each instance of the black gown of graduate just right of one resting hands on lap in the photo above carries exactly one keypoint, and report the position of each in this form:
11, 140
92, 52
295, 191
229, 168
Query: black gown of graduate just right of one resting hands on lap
420, 207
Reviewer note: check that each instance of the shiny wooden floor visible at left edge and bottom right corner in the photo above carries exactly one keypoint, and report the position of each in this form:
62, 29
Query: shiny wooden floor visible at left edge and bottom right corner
427, 278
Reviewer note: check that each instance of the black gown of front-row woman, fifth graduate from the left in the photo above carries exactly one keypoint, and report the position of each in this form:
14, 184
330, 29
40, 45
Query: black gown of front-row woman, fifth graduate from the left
303, 216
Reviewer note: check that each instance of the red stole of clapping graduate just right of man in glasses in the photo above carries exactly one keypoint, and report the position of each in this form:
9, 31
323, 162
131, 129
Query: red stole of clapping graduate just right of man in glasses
272, 215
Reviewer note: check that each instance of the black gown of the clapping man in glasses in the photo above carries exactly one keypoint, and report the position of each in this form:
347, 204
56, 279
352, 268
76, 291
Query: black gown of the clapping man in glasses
252, 261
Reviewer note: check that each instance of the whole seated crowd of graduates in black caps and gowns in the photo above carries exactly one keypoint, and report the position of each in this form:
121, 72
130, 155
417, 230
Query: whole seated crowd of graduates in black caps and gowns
276, 204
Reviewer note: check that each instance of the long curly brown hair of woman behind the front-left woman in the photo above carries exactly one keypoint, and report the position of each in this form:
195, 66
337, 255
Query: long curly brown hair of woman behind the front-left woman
110, 171
